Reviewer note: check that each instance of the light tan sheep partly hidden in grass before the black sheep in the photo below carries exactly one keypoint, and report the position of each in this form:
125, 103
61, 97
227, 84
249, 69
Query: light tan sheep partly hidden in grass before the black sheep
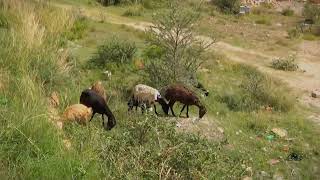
77, 112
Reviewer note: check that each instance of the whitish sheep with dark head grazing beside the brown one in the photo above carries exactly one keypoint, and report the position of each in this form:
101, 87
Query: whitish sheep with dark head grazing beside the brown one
145, 96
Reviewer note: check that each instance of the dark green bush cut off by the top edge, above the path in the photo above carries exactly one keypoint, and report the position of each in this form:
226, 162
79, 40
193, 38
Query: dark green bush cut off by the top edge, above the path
228, 6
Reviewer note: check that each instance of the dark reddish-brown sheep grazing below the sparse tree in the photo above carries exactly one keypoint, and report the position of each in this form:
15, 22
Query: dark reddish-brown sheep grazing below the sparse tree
182, 94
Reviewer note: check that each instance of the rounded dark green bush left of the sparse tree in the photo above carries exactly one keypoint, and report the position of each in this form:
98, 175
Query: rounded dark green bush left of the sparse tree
114, 50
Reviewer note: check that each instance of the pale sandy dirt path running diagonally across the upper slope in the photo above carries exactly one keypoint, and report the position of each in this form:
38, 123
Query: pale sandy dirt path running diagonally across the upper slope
308, 57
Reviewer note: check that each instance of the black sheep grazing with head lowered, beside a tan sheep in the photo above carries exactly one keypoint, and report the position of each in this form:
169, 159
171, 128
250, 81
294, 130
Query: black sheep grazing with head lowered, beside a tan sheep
91, 99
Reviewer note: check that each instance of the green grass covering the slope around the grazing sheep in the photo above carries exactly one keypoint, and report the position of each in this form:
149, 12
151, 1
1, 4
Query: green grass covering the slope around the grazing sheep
140, 146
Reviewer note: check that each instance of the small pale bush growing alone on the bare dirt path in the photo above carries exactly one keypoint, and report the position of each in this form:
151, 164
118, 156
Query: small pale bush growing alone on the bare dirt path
286, 64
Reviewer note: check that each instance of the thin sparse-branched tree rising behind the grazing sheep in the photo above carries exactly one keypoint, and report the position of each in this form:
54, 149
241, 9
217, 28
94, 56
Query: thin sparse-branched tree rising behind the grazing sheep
174, 53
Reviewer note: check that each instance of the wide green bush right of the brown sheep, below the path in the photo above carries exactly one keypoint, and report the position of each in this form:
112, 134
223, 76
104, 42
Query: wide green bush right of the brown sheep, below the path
256, 90
